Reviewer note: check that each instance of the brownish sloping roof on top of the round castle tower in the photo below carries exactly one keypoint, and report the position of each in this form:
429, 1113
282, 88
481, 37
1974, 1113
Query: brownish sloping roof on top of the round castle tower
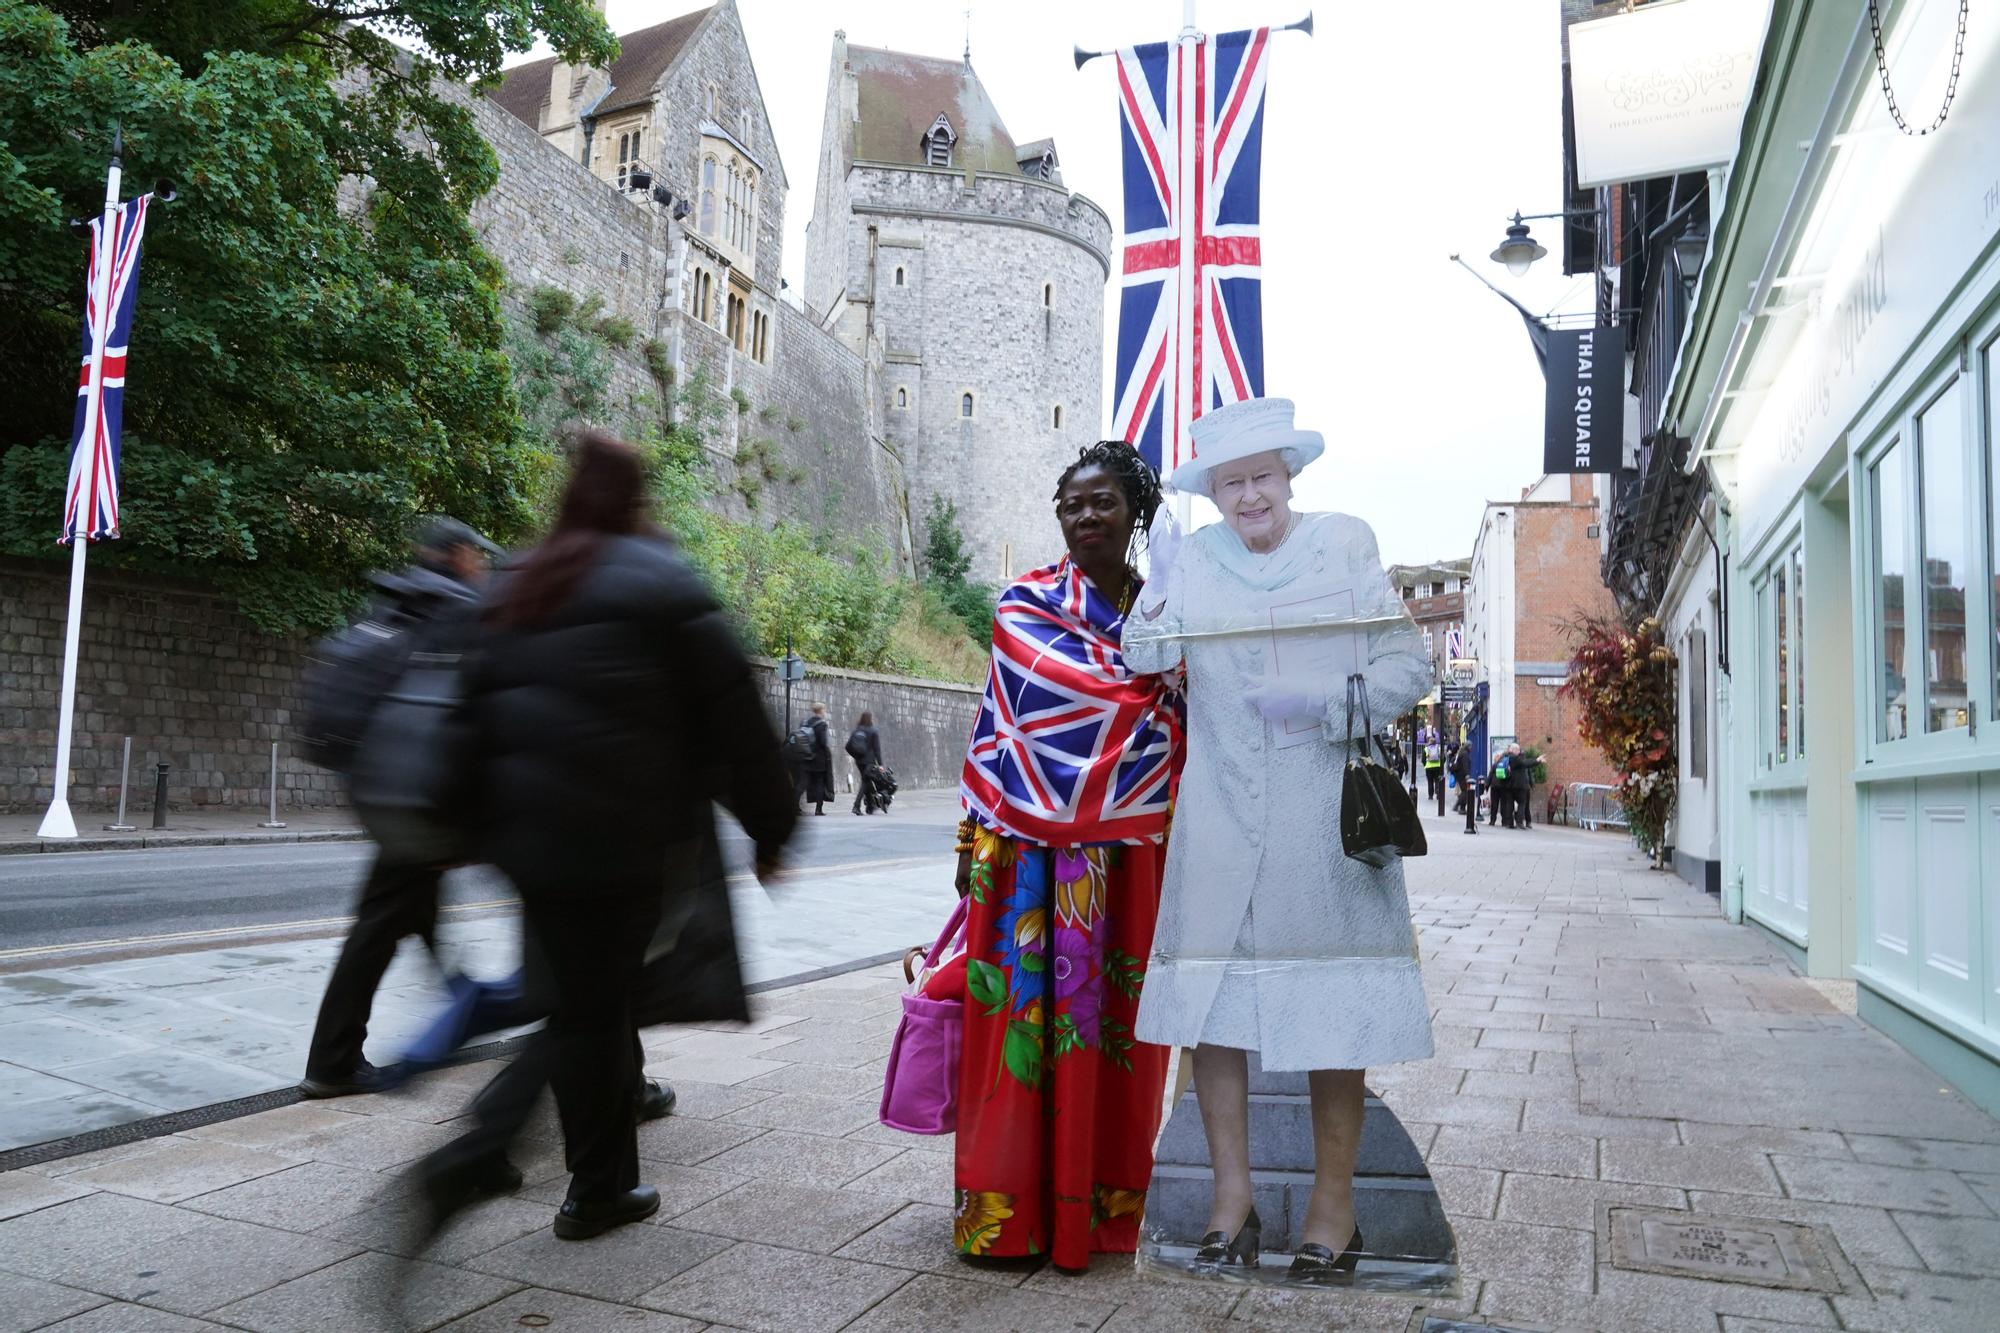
899, 97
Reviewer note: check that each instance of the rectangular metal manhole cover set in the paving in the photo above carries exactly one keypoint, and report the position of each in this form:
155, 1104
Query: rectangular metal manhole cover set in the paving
1725, 1250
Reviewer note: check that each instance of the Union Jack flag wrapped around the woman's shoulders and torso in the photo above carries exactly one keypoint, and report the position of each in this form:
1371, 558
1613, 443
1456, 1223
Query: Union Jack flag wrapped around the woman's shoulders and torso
1071, 746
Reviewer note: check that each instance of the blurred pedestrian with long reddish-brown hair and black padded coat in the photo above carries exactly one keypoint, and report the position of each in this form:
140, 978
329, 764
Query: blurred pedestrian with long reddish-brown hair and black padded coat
613, 708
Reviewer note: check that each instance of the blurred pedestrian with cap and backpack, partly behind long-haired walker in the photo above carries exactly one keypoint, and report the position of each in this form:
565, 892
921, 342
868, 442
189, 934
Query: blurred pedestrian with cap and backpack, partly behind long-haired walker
421, 617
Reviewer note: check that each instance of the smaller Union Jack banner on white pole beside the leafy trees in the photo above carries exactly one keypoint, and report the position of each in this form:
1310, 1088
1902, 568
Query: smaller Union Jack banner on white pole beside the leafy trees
101, 415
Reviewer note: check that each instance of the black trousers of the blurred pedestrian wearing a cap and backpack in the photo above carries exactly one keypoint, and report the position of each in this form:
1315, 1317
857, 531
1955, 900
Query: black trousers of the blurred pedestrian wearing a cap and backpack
397, 900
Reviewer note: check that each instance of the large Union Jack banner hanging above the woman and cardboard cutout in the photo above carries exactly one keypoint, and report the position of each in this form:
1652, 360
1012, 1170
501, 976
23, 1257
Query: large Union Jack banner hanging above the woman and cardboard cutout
1213, 199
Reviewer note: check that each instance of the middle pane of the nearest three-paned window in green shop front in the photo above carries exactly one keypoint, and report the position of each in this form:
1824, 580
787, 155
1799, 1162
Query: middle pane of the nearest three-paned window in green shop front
1941, 499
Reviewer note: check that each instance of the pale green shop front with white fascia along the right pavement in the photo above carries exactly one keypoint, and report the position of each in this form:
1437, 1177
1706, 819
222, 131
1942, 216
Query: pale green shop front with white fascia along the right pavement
1843, 381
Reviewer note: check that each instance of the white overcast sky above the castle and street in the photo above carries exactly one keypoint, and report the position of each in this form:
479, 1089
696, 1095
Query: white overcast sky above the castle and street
1393, 137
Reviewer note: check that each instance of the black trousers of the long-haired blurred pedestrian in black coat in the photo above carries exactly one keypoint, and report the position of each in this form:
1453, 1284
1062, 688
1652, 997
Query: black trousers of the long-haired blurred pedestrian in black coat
591, 1054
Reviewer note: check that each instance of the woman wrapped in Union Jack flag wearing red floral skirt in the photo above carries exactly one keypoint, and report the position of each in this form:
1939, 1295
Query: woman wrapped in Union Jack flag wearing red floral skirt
1067, 788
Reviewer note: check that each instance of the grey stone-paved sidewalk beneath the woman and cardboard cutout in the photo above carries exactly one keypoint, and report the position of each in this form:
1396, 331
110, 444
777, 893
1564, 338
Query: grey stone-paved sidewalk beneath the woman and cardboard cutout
1605, 1042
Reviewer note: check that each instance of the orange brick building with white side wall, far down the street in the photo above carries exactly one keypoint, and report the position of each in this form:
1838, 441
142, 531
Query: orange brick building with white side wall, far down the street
1535, 569
